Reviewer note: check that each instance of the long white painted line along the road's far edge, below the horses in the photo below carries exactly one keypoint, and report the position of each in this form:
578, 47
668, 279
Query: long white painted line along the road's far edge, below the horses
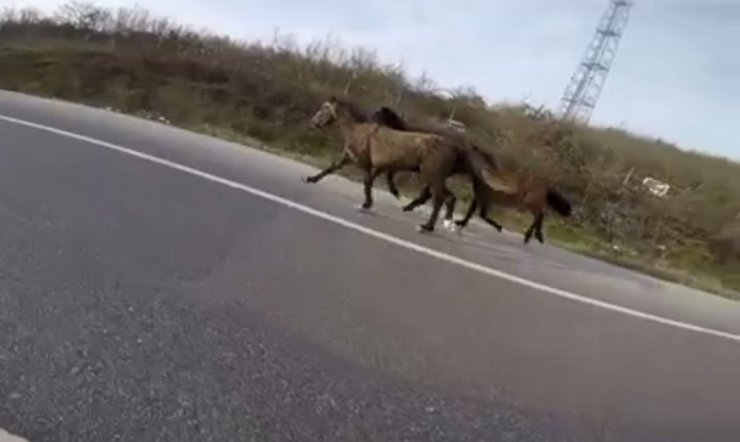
384, 236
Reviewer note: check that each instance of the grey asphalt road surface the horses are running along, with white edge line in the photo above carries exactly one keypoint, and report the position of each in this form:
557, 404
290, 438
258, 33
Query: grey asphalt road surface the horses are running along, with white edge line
216, 297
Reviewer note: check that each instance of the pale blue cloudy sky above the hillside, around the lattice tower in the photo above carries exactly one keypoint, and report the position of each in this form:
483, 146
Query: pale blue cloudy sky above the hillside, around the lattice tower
676, 75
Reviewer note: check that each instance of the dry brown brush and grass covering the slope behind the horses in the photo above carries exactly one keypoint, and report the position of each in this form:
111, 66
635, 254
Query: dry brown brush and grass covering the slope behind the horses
133, 62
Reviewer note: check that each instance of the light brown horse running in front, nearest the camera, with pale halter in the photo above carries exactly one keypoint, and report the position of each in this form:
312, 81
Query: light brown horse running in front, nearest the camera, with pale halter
376, 149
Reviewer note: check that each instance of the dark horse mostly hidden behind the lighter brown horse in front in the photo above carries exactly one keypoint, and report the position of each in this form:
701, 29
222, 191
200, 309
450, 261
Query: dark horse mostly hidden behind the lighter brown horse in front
472, 164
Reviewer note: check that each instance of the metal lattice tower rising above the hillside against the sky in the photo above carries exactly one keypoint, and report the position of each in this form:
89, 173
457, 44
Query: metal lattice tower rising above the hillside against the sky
585, 85
